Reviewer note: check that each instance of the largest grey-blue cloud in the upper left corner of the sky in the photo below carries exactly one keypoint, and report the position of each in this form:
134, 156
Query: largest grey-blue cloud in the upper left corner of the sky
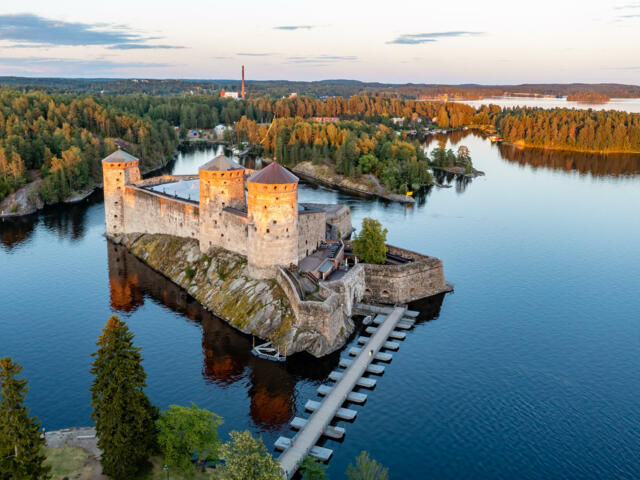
36, 30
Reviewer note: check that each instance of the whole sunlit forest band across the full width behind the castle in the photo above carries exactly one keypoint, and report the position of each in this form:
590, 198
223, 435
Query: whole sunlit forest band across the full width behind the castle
62, 137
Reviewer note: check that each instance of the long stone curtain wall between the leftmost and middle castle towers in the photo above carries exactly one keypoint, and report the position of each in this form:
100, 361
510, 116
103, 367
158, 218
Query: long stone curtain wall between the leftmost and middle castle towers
150, 212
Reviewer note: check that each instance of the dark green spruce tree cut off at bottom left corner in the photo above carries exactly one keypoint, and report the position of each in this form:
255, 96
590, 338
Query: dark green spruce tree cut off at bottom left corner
21, 443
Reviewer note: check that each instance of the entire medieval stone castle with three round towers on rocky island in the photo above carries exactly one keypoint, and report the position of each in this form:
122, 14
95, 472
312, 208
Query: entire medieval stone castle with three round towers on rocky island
302, 246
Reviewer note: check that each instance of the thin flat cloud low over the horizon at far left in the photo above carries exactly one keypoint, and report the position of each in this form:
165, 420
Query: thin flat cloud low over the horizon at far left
70, 66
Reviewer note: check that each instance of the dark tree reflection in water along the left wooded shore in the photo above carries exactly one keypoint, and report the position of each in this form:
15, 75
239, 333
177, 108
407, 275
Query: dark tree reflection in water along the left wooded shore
67, 220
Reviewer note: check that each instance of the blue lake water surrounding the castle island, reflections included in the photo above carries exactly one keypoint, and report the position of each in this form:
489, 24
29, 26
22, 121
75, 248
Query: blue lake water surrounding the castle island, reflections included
530, 369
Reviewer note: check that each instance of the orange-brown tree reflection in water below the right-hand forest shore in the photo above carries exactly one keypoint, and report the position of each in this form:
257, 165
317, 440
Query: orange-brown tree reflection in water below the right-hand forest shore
598, 165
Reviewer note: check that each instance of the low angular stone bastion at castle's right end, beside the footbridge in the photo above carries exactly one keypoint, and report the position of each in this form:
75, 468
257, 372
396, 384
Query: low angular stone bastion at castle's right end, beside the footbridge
404, 283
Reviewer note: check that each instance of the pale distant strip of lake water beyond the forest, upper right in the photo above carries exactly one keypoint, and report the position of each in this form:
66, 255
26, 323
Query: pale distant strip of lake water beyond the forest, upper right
625, 104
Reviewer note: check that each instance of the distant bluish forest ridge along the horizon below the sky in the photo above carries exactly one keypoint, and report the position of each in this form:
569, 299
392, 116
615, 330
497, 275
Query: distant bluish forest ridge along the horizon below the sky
345, 88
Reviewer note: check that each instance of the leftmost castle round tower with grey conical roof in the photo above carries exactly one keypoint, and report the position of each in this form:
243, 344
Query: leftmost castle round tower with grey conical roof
118, 170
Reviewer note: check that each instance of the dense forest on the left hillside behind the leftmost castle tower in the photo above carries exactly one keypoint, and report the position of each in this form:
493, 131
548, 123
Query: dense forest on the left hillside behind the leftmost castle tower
62, 139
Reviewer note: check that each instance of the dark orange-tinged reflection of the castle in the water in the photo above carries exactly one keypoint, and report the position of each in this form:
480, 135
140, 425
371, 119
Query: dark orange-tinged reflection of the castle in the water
226, 352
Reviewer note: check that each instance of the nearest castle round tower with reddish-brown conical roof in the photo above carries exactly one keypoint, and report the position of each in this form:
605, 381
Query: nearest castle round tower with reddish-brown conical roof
273, 220
